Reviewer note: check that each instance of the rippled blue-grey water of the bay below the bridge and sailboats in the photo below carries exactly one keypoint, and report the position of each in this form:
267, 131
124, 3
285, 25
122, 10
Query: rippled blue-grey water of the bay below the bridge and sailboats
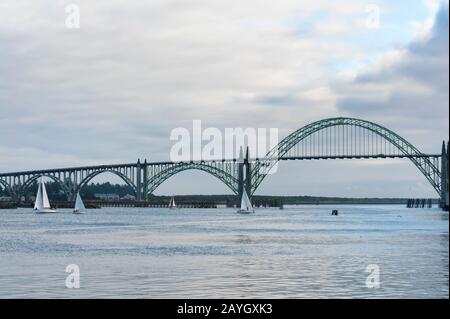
298, 252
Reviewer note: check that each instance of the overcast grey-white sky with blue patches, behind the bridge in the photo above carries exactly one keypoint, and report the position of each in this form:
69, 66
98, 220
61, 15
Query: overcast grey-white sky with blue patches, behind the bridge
112, 90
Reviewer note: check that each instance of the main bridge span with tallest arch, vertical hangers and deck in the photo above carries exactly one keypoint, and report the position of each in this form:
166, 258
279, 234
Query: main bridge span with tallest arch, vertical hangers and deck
354, 138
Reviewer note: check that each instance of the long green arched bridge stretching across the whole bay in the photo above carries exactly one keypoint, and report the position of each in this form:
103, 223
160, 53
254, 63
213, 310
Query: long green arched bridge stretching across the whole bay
332, 138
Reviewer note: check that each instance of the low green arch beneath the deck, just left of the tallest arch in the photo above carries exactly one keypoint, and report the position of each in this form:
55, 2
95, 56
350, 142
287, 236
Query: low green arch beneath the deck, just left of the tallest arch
156, 180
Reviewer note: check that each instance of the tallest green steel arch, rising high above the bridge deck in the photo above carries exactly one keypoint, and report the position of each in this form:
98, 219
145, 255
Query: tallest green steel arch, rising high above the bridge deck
423, 163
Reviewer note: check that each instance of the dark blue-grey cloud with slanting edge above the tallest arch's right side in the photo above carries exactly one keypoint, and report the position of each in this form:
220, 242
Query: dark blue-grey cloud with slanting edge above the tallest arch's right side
408, 88
